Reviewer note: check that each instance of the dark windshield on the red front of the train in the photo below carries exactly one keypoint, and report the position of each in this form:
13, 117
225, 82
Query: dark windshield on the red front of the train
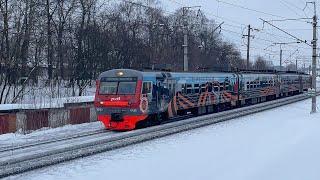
118, 86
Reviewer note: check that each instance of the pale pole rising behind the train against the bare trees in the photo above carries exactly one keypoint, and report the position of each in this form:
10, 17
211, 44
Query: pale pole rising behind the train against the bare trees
185, 37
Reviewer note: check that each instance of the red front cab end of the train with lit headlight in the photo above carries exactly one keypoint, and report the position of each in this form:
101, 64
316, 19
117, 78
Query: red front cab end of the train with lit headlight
118, 99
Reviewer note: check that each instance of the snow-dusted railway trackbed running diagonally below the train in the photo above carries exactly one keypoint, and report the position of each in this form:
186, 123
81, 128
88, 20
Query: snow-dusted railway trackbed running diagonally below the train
16, 160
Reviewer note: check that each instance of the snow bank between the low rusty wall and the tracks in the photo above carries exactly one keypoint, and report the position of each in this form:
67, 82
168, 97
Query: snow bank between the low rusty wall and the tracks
10, 139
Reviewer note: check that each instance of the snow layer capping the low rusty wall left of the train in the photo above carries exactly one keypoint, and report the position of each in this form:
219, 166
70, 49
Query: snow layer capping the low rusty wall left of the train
53, 103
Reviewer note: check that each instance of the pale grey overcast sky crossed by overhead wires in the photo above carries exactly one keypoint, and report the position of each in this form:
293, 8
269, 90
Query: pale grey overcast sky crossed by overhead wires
236, 17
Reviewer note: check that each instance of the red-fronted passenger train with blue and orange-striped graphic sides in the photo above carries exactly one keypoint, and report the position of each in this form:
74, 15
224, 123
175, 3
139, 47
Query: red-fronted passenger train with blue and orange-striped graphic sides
128, 99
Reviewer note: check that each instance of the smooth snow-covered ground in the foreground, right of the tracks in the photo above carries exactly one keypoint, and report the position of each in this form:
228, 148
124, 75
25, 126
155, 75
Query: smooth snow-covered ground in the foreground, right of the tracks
278, 144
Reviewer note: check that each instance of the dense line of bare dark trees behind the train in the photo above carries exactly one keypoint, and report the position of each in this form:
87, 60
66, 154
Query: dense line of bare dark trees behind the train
75, 40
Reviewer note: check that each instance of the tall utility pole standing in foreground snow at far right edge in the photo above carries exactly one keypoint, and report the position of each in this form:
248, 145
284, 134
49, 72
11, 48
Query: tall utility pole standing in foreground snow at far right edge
314, 61
